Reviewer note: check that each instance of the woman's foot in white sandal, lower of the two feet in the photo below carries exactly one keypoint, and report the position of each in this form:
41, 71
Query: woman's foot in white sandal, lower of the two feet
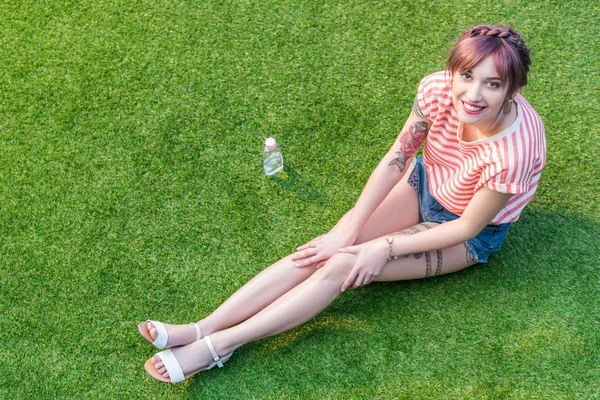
192, 358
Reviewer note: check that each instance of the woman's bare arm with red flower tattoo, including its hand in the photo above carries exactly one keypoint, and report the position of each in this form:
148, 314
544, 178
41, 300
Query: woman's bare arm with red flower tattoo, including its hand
386, 175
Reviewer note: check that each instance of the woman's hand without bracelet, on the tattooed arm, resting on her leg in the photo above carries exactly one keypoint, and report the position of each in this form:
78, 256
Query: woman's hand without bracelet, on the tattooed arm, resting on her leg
320, 249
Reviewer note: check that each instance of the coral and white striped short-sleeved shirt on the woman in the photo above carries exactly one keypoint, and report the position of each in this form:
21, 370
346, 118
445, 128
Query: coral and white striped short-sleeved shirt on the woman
509, 162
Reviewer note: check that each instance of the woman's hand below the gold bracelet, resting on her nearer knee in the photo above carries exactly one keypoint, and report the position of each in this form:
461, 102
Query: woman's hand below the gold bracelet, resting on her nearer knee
371, 257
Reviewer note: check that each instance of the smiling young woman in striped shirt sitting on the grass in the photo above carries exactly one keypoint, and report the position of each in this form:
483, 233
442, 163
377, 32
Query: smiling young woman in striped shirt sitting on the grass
484, 150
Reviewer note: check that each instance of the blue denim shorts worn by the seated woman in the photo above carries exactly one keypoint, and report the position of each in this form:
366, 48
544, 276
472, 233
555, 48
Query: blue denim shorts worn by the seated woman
488, 241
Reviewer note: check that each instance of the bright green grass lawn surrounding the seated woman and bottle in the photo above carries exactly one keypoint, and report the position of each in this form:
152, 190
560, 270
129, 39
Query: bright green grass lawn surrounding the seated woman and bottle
131, 187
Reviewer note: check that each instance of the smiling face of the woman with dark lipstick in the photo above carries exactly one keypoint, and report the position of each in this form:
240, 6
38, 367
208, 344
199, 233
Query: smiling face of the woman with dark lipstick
478, 95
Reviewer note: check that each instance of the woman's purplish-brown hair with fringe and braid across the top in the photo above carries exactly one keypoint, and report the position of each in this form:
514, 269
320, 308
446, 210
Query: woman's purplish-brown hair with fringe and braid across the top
504, 44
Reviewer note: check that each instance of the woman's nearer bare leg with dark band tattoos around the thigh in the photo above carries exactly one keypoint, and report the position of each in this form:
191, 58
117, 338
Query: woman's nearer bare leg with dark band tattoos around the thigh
309, 298
